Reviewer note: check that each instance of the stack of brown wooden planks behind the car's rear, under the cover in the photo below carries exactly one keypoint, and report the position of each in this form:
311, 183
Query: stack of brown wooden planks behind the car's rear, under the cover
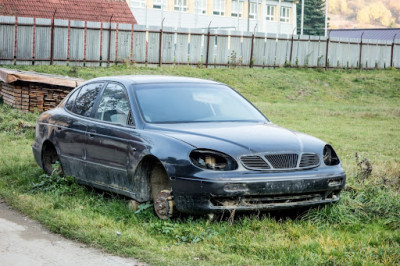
28, 96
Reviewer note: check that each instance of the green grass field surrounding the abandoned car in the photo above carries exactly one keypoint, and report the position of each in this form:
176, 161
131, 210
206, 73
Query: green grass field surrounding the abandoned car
354, 111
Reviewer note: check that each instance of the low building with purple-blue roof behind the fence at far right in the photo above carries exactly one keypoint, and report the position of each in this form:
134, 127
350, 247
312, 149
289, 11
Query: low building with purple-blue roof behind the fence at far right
367, 34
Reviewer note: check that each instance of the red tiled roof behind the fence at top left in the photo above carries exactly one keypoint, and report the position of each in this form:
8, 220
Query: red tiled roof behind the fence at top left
90, 10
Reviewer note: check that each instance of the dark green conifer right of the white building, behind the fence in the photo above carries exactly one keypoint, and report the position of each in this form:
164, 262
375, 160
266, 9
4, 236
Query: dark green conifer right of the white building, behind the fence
314, 17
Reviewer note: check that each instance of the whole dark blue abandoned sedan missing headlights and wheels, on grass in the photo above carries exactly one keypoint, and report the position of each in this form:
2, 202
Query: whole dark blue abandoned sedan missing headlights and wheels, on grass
188, 145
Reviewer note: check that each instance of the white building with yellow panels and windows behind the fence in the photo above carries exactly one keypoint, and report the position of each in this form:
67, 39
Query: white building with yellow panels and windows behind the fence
269, 16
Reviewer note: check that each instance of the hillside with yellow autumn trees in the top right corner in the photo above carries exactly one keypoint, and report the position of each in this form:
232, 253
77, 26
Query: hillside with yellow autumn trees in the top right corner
350, 14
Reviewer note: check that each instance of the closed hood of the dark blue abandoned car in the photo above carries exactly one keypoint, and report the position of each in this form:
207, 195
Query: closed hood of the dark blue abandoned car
250, 137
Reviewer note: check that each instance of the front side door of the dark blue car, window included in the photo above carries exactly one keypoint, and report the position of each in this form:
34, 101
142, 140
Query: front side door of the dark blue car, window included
108, 145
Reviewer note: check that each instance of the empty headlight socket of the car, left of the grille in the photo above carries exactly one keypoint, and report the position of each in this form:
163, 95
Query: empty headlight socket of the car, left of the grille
212, 160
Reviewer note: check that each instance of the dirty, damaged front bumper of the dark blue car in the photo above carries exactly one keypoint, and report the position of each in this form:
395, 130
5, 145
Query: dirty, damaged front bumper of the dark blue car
262, 192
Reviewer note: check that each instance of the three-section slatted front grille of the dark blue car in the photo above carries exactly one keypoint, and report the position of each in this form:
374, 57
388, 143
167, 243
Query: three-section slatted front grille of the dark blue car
287, 161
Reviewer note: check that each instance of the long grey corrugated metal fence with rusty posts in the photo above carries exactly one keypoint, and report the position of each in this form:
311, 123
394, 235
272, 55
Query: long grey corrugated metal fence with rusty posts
46, 41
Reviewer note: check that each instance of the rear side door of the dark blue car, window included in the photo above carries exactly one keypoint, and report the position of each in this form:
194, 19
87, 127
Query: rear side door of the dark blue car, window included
71, 129
